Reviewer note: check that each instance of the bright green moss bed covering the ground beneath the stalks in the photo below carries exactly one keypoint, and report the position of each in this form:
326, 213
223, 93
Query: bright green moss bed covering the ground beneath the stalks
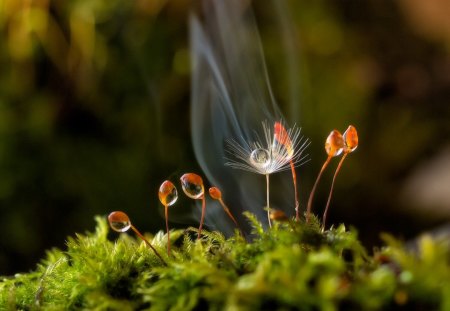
291, 266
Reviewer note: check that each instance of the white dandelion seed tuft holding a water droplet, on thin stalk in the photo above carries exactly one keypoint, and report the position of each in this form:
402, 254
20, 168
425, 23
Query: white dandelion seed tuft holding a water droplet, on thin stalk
280, 150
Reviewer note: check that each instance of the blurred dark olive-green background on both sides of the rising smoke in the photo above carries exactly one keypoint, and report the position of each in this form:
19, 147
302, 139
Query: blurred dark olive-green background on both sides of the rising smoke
94, 111
